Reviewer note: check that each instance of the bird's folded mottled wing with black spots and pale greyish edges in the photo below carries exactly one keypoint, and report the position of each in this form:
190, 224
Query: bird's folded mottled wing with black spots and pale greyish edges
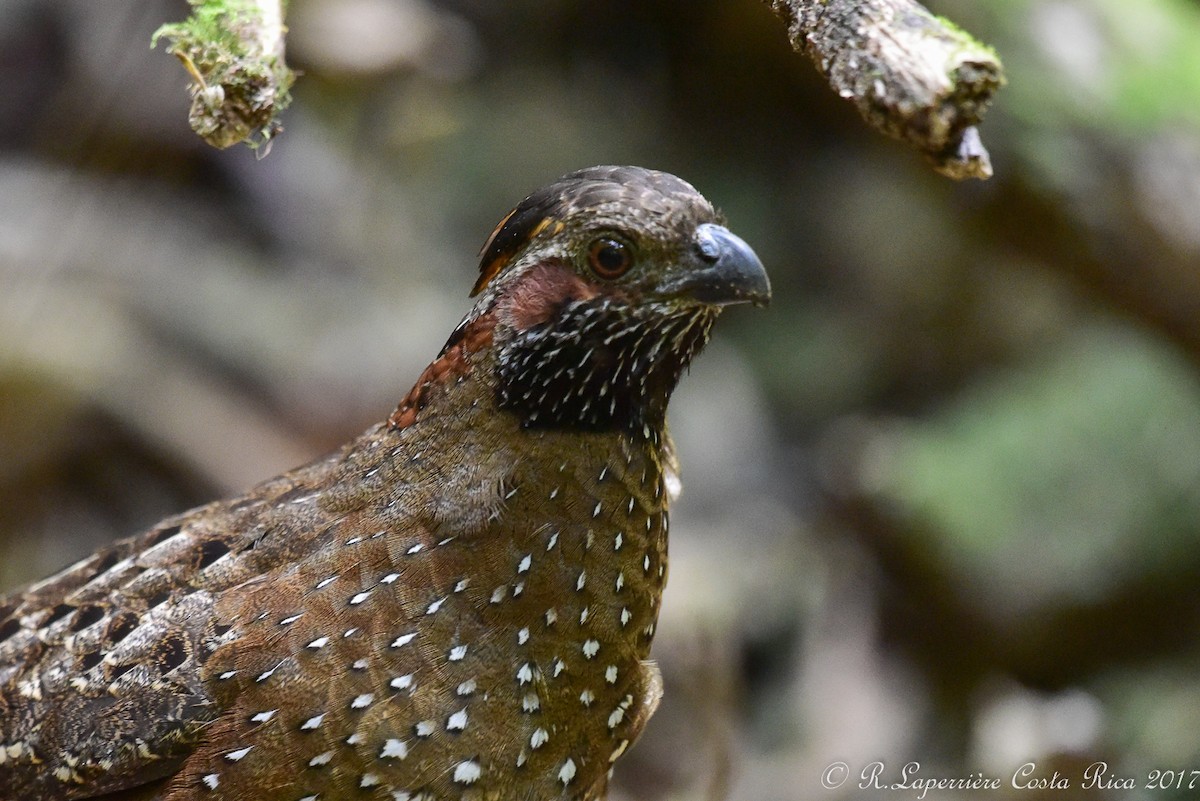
103, 688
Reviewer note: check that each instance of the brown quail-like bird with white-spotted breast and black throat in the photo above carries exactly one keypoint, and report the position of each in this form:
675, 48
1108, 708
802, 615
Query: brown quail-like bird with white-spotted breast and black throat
459, 604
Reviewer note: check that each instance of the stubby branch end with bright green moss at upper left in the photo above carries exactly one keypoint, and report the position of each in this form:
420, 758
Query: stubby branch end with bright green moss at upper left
235, 52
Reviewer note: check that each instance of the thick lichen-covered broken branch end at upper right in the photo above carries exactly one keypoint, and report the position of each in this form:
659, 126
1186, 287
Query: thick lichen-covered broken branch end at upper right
911, 75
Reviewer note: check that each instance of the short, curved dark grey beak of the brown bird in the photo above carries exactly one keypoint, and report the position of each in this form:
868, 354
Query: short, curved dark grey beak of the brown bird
727, 272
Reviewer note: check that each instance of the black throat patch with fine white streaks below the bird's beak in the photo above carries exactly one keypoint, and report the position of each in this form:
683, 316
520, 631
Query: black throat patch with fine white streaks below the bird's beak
601, 365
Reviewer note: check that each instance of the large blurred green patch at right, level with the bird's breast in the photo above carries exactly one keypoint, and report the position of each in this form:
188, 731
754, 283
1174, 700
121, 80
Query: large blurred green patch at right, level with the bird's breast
1065, 480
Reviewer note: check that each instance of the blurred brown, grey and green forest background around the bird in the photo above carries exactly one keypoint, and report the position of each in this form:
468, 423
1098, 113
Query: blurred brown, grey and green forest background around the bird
943, 498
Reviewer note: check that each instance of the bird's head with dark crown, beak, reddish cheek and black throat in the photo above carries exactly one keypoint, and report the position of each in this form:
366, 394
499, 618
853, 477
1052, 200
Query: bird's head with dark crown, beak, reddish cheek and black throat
603, 287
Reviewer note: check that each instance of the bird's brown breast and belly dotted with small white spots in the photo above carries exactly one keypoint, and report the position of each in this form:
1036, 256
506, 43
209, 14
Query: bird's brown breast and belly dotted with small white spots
418, 660
